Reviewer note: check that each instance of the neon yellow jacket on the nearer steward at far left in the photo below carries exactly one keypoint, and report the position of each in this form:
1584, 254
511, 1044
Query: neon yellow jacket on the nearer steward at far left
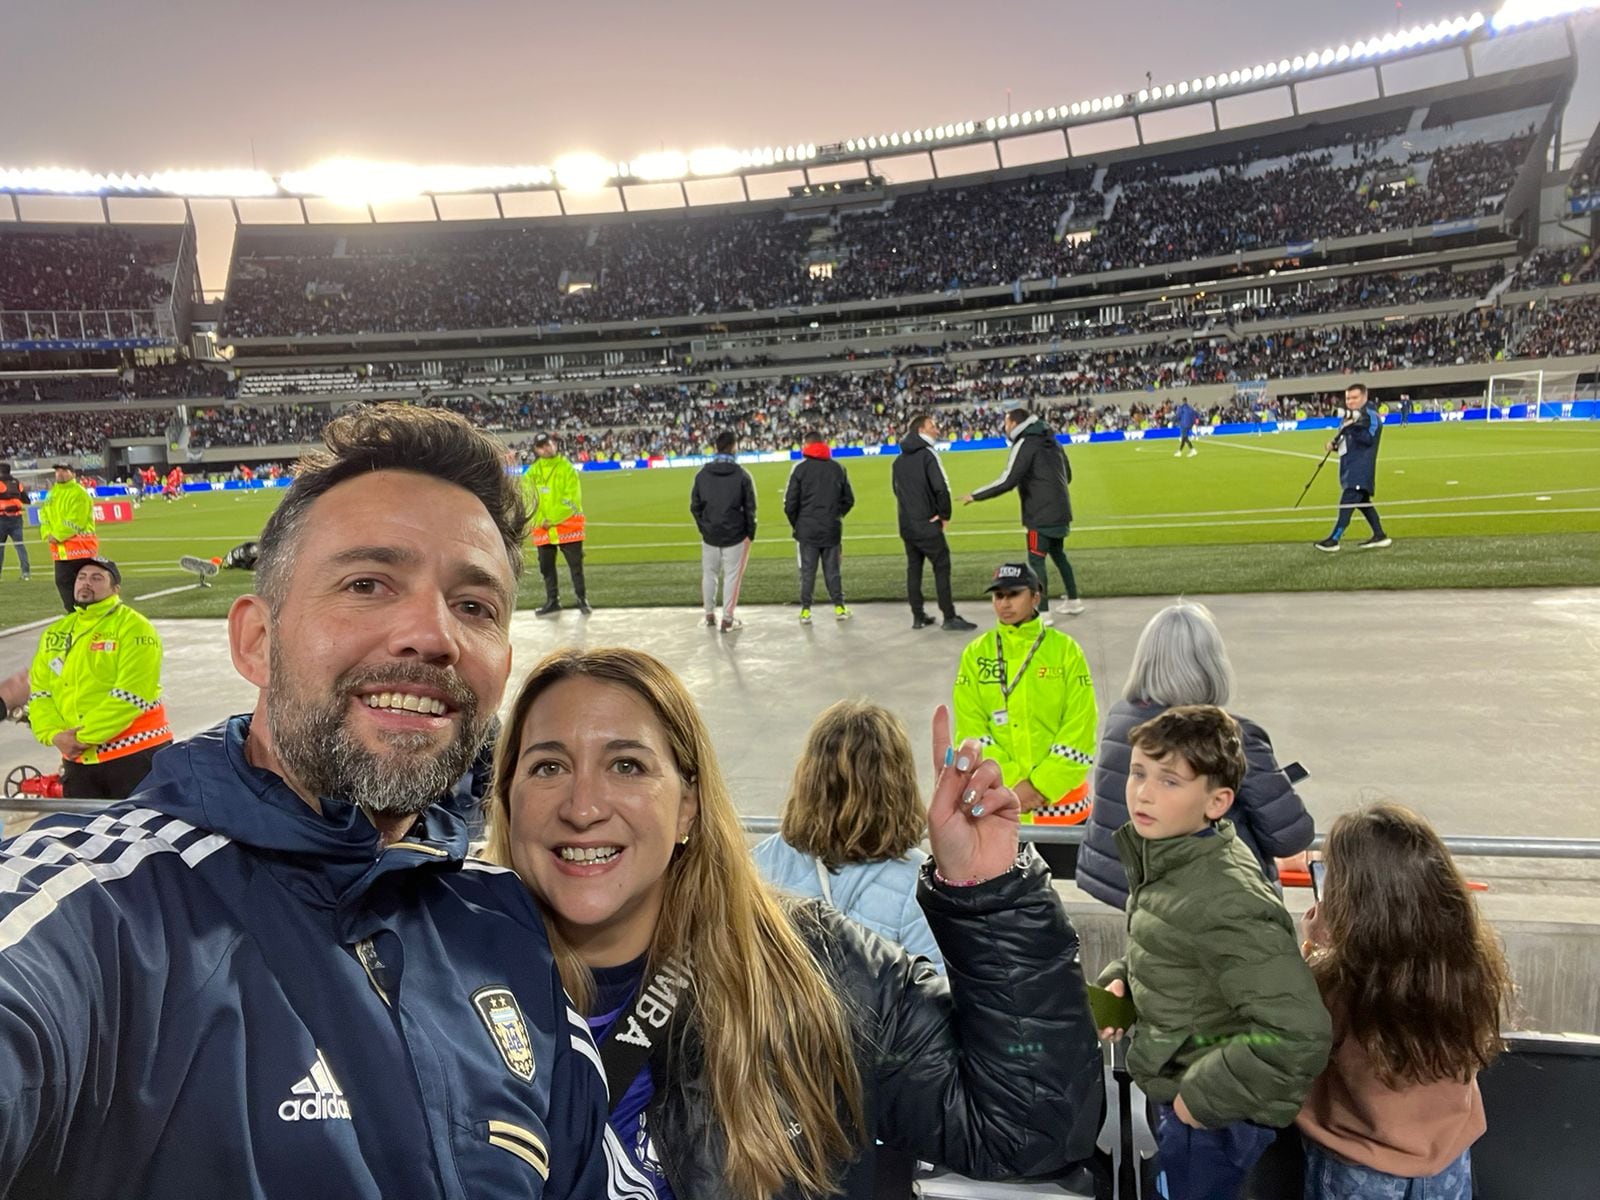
98, 671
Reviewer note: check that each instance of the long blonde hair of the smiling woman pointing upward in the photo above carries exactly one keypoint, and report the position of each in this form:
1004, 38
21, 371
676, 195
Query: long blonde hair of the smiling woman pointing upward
777, 1039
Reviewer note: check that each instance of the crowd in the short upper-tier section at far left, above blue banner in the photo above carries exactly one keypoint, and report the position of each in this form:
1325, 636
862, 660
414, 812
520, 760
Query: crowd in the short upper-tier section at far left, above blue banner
82, 270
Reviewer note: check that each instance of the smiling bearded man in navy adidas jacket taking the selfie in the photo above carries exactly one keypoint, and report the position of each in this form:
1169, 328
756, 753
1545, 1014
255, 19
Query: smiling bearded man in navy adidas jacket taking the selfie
274, 970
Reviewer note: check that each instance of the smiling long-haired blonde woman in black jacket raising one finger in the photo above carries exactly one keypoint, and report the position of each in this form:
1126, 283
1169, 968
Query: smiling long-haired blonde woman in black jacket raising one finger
758, 1047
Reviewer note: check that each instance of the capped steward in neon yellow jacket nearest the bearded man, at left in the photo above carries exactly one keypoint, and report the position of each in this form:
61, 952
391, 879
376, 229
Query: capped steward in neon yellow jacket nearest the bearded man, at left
95, 690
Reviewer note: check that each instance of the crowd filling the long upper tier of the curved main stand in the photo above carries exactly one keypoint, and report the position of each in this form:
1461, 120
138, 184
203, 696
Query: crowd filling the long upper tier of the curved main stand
927, 242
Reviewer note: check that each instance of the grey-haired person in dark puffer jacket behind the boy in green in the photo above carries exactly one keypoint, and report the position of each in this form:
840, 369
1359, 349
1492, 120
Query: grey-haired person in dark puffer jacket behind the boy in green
1182, 660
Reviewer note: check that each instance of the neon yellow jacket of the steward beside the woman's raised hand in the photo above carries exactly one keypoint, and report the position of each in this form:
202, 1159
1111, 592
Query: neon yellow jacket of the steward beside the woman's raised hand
1046, 730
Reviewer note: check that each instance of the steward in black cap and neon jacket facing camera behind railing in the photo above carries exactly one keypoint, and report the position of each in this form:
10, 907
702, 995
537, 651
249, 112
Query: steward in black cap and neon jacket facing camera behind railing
1025, 690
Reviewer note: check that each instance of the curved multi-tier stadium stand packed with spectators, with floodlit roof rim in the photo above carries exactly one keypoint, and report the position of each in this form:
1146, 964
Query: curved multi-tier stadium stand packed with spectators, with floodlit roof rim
1418, 236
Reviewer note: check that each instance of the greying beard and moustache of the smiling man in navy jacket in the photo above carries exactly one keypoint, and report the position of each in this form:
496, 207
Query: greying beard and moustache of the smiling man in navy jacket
321, 753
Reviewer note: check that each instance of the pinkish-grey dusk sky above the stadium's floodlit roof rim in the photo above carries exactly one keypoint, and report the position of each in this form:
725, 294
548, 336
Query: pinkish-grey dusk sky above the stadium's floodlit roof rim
180, 84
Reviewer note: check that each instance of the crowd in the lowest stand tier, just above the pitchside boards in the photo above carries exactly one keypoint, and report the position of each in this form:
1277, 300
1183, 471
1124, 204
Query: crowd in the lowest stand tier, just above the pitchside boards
868, 407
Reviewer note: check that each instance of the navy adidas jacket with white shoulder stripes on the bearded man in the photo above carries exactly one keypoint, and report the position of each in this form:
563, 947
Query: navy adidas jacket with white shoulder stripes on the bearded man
212, 991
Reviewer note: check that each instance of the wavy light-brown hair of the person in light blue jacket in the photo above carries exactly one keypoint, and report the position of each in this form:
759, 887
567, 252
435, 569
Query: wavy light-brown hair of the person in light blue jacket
855, 796
